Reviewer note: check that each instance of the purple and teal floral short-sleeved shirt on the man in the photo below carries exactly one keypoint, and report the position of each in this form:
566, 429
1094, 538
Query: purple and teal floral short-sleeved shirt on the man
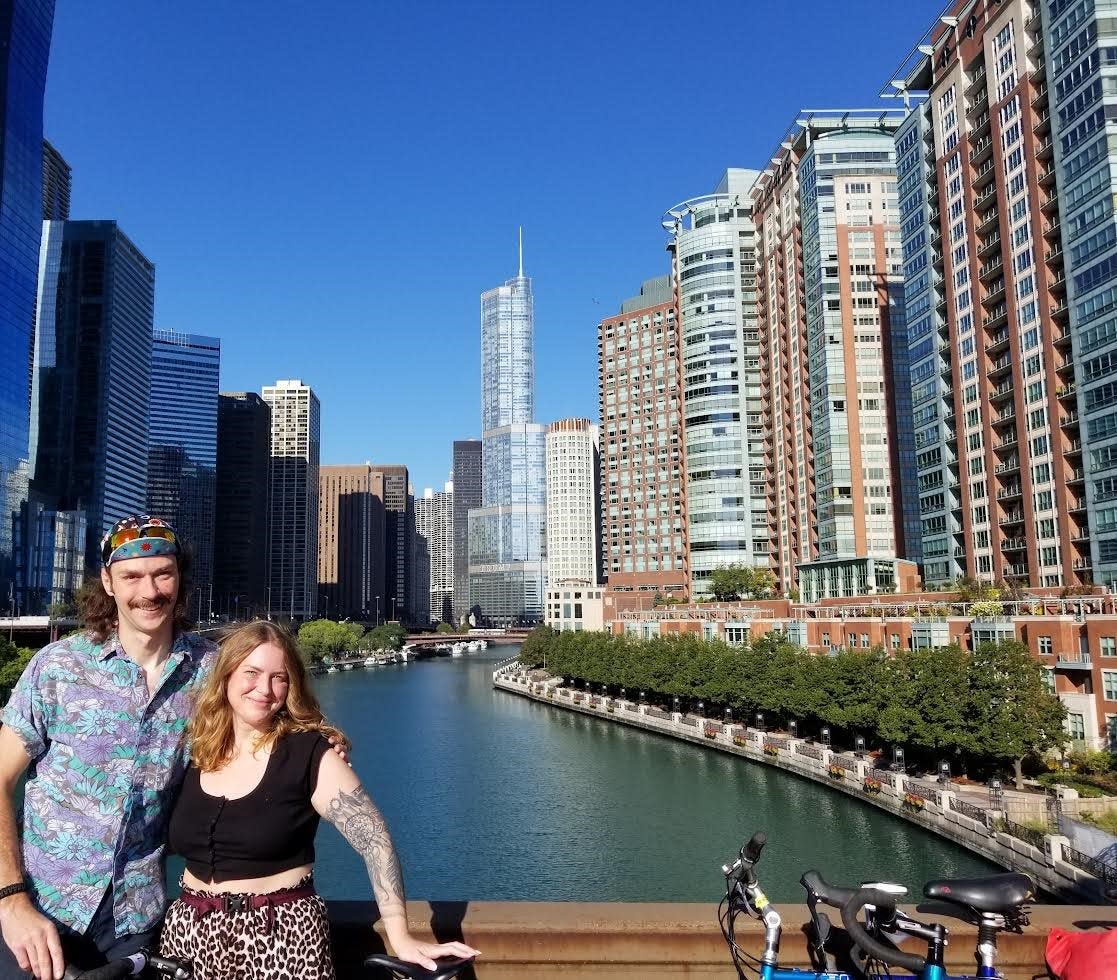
108, 760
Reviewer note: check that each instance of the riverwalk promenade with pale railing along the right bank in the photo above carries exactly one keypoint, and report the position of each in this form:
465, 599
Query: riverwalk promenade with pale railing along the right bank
966, 816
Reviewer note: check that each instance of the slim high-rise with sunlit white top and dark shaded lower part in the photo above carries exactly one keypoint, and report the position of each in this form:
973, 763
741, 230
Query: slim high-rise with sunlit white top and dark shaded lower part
293, 500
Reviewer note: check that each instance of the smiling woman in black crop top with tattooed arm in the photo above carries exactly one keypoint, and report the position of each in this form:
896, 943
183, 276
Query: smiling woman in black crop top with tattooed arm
261, 777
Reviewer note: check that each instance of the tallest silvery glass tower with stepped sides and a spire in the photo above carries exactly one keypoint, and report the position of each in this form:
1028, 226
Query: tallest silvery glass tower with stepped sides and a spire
508, 558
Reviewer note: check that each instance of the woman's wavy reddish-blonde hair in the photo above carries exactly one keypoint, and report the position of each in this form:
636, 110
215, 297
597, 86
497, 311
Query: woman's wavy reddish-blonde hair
212, 728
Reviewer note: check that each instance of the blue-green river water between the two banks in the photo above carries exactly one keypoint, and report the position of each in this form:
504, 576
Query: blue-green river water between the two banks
493, 797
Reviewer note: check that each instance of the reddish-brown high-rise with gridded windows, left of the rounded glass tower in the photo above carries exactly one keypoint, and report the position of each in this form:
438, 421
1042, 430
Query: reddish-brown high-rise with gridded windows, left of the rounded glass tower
644, 510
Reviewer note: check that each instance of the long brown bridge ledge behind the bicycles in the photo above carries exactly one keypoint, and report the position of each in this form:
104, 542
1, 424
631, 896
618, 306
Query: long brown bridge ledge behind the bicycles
619, 941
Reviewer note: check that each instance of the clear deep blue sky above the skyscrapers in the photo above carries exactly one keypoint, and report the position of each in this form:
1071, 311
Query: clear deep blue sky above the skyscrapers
329, 187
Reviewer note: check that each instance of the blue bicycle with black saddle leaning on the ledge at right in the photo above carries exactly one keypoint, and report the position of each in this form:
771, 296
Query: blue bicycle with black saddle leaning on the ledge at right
996, 902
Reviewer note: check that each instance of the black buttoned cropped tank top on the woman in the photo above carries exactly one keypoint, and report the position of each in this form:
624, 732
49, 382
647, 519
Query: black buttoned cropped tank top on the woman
269, 832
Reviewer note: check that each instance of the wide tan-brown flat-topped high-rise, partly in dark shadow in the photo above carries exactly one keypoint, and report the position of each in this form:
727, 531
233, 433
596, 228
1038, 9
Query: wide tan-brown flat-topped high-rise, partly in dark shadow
351, 541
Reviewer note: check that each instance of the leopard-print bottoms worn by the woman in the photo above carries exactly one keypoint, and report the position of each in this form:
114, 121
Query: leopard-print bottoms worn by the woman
291, 945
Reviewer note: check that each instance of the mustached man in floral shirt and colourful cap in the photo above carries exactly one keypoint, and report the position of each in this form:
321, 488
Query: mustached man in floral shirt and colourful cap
101, 718
